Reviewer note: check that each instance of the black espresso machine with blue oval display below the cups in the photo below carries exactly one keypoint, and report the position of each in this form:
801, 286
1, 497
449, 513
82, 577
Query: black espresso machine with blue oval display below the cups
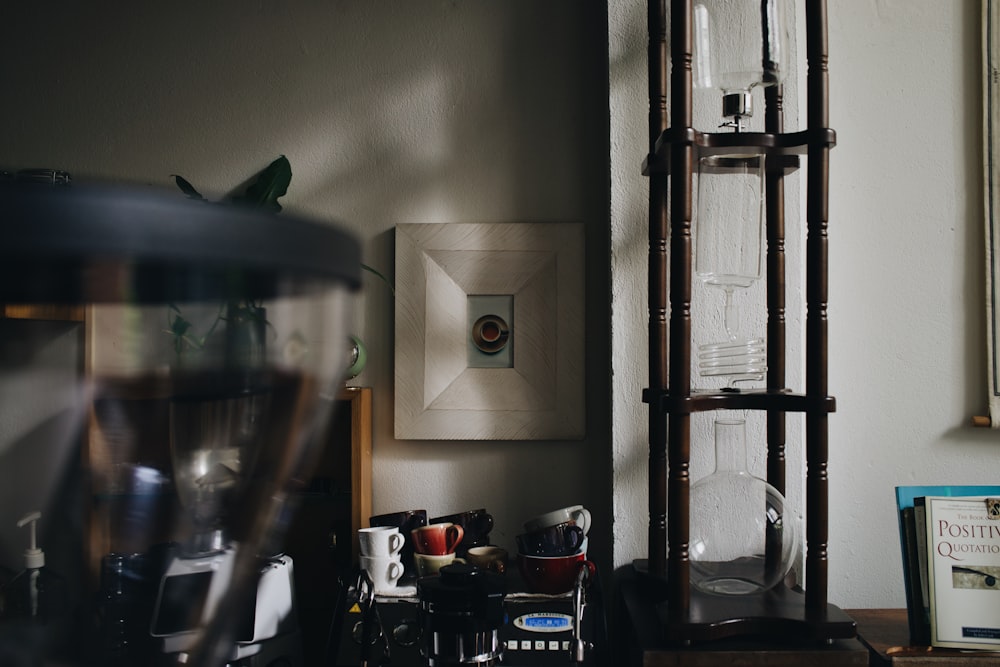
457, 620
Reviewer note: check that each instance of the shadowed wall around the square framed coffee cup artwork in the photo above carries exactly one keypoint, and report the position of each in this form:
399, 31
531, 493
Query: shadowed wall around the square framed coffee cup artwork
430, 111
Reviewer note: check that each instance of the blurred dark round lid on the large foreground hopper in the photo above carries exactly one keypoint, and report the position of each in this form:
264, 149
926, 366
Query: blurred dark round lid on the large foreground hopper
78, 244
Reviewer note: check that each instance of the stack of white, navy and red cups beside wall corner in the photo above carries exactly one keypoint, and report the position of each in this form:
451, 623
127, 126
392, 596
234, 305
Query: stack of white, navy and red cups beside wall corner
553, 549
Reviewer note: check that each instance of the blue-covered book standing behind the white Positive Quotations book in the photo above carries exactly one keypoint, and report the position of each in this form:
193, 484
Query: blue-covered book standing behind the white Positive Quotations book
911, 534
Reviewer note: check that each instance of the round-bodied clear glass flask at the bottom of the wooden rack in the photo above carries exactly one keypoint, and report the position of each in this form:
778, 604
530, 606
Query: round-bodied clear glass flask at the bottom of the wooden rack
743, 536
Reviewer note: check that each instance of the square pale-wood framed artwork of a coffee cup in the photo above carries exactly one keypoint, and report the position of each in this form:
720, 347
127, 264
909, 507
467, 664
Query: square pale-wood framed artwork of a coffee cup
489, 331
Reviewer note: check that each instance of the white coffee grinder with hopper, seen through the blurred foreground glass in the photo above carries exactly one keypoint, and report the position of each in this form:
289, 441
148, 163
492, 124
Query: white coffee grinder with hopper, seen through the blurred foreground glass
217, 431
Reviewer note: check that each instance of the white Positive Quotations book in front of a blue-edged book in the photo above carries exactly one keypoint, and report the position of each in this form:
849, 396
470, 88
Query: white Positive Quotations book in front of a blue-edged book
963, 571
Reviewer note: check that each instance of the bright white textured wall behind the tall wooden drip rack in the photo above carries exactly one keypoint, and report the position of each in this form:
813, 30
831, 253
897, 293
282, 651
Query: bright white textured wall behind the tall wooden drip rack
907, 325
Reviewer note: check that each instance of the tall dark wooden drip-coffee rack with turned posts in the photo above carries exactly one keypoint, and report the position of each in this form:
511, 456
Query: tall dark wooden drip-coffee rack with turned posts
686, 615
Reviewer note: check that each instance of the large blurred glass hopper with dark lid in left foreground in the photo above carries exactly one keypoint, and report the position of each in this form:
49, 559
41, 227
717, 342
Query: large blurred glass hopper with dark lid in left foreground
212, 349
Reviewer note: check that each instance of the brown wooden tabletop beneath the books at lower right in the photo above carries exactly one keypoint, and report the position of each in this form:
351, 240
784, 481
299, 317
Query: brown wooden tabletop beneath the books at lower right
886, 634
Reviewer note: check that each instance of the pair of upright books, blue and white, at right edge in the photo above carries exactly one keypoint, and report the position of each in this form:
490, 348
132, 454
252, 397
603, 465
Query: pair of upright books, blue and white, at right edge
950, 544
